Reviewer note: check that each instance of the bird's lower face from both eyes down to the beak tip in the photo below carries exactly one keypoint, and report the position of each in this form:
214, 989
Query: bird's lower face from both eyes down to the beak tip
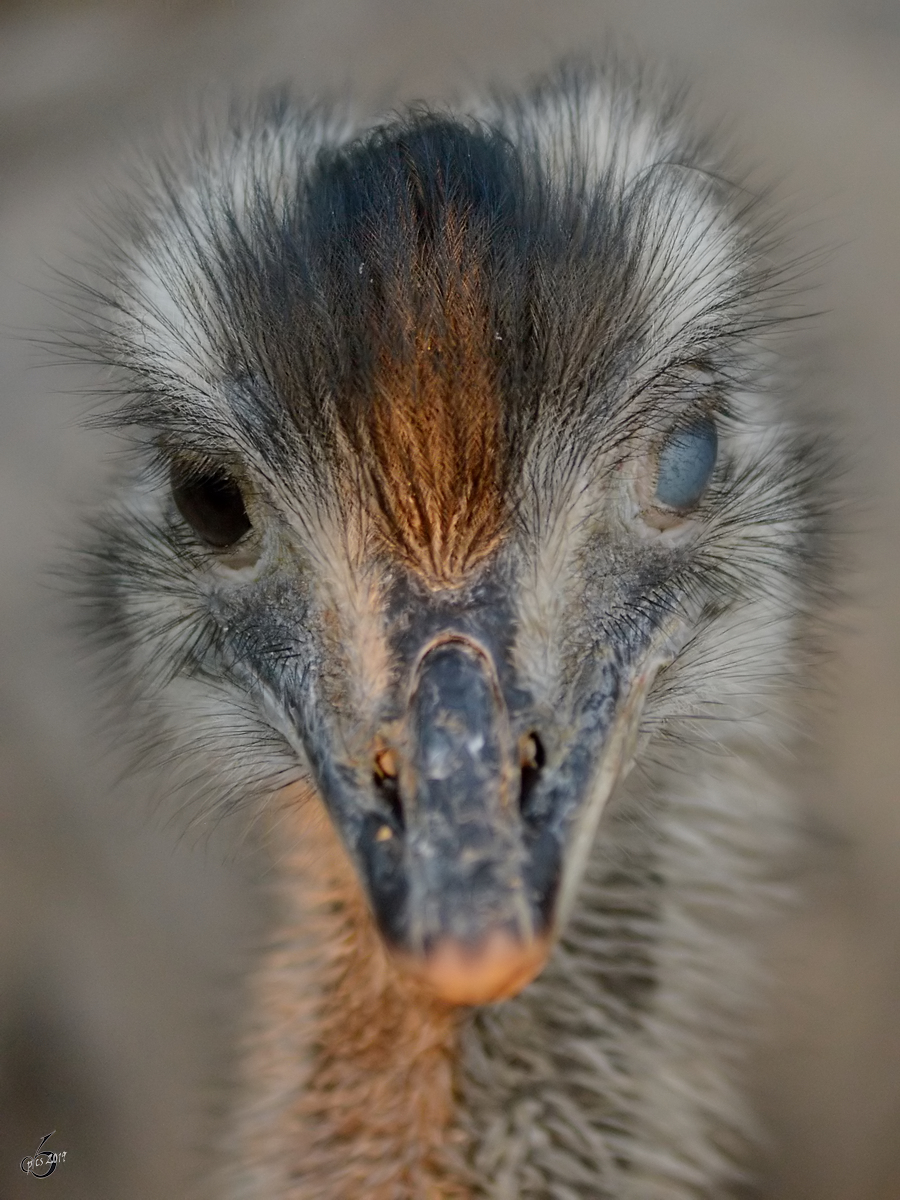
464, 734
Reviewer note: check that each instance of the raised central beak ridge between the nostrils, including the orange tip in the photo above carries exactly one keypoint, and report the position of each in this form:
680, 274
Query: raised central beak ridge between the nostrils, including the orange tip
475, 931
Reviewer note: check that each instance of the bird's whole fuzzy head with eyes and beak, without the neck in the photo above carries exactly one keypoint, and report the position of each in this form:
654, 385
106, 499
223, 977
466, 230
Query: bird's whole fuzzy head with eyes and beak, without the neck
451, 466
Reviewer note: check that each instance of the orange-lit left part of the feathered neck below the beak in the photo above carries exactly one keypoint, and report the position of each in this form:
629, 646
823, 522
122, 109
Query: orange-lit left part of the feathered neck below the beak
350, 1065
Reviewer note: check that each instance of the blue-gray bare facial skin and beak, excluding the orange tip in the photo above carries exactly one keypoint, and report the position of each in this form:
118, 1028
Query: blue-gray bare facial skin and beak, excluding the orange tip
469, 842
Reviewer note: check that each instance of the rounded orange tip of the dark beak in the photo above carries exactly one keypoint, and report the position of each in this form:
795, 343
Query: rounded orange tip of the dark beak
497, 969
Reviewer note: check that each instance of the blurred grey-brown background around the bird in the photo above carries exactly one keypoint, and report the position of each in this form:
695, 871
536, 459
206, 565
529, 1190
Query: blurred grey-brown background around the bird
121, 940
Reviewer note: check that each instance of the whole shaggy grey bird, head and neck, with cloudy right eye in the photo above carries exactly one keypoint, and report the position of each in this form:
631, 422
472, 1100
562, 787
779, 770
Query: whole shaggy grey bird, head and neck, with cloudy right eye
469, 543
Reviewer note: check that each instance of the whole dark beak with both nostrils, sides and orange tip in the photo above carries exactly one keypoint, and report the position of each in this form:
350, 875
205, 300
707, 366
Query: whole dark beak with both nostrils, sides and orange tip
469, 863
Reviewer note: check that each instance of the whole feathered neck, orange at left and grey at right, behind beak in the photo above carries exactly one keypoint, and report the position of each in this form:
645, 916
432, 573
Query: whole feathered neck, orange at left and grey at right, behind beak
615, 1069
